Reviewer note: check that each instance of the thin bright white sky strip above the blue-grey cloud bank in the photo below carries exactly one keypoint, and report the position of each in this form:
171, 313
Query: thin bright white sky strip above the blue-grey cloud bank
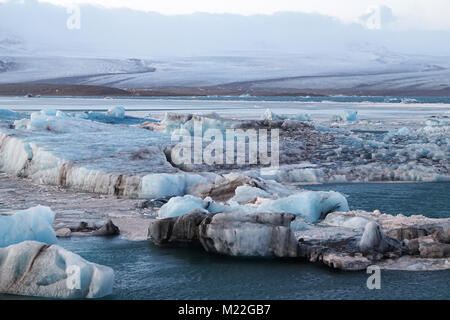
411, 14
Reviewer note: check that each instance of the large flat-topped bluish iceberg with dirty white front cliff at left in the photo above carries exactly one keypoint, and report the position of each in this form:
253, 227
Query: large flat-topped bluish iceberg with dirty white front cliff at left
82, 154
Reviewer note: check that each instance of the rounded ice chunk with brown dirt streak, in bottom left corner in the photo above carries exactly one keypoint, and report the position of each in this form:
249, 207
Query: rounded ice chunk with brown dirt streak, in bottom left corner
36, 269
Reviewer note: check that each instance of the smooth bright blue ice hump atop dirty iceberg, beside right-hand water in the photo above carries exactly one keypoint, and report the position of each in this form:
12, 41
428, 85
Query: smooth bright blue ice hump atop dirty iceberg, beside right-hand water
310, 205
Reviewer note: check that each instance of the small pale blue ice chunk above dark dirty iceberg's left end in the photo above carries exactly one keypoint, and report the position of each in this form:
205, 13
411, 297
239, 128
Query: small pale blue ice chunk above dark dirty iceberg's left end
178, 206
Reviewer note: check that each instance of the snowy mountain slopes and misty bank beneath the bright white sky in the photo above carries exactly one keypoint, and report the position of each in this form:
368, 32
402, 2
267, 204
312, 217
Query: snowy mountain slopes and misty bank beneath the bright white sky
133, 49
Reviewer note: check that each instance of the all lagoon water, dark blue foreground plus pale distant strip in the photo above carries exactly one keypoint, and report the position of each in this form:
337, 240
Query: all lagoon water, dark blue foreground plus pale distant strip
144, 271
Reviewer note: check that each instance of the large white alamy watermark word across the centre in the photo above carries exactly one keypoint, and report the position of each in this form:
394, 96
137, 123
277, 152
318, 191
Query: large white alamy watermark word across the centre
226, 147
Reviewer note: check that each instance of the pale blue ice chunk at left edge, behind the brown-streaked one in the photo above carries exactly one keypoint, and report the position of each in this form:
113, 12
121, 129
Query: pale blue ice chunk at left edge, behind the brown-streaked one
32, 224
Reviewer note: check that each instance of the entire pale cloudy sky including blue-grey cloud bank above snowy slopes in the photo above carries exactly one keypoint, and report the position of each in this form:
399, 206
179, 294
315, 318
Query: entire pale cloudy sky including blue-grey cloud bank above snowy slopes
151, 28
